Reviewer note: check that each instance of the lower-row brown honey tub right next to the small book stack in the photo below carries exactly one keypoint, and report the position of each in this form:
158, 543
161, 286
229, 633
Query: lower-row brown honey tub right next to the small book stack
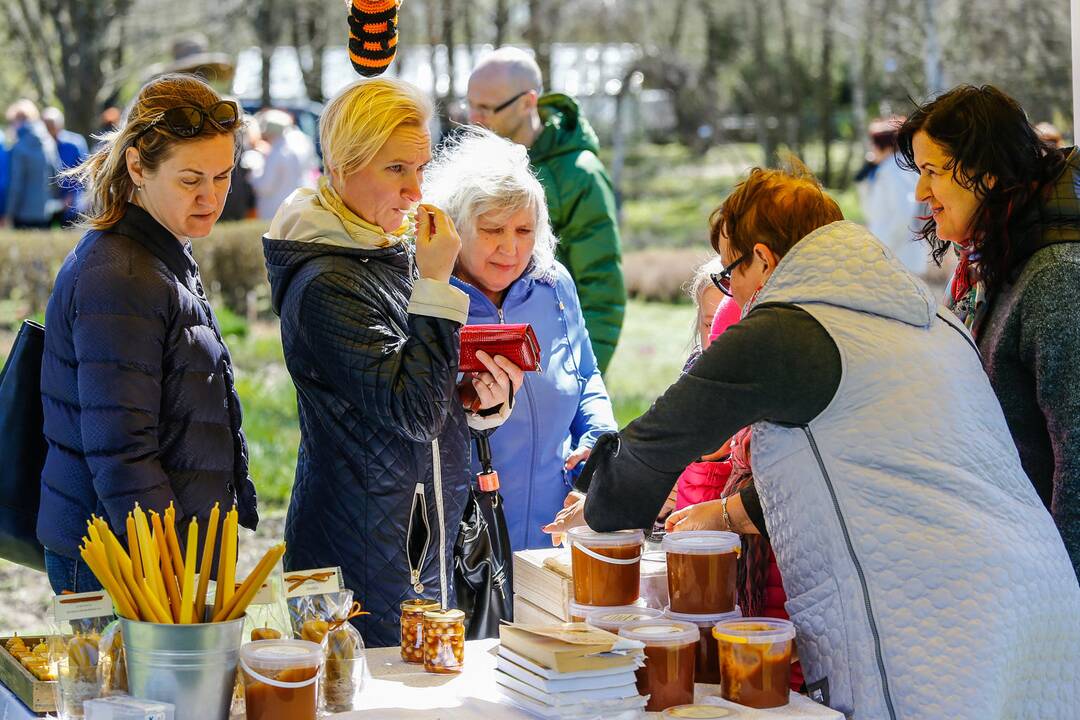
671, 654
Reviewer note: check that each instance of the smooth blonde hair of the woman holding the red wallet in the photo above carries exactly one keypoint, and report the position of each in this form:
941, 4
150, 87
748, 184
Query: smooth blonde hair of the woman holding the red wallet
360, 119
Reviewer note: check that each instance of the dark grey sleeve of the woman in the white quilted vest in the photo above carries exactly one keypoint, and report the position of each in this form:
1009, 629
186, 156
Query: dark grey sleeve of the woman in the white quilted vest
778, 364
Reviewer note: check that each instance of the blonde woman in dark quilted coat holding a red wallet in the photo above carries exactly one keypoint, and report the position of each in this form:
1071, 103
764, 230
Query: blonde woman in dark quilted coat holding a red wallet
371, 330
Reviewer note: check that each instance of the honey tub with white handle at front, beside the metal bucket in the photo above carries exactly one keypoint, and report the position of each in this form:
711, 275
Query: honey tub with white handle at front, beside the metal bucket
281, 680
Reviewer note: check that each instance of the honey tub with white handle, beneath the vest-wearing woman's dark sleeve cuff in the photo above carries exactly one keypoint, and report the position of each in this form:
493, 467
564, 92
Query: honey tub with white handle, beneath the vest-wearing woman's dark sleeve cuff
606, 566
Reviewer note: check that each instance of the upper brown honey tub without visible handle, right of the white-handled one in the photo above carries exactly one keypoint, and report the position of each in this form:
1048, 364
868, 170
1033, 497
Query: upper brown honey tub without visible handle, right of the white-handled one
701, 572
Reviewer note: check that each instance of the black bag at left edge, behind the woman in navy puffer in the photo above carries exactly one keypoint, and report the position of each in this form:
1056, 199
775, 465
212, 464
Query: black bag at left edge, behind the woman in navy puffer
22, 449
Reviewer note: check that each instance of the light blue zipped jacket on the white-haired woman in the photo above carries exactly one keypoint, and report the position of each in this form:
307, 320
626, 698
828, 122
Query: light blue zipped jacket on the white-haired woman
557, 412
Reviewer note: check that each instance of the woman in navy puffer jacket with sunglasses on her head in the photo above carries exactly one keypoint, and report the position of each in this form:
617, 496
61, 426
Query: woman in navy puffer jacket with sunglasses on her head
137, 383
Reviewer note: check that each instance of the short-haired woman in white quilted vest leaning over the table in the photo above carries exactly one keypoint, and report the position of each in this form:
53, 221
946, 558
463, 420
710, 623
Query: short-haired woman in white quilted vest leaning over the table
925, 577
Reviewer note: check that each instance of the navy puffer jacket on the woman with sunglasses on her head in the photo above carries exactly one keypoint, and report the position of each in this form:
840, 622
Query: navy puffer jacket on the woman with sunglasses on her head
138, 389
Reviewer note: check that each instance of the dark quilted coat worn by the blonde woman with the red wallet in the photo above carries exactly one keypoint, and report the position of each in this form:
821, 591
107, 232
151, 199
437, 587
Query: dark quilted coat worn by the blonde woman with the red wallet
384, 463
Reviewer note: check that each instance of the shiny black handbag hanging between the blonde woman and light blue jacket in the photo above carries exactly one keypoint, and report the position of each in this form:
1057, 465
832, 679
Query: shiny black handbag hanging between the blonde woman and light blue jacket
483, 560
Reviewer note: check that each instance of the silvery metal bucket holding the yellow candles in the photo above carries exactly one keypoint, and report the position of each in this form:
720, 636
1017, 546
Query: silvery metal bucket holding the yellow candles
192, 667
